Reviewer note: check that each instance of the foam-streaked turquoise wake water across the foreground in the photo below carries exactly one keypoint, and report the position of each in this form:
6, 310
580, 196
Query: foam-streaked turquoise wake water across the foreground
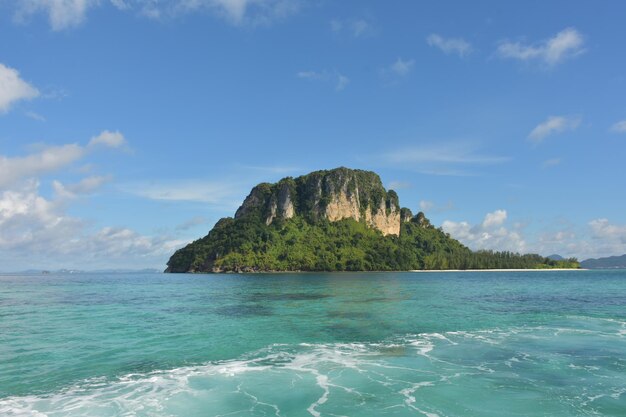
554, 370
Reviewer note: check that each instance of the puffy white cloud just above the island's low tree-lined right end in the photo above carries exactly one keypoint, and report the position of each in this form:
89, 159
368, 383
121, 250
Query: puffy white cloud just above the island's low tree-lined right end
490, 234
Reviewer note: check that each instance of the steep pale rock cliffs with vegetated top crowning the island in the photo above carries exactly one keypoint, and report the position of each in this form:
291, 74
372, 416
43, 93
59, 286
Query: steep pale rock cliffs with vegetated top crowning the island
333, 195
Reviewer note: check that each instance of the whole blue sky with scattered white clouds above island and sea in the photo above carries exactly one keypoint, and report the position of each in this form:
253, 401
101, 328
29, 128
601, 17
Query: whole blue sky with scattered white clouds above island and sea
129, 127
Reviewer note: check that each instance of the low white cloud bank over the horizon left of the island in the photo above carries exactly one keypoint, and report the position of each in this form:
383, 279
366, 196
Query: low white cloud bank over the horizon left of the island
37, 232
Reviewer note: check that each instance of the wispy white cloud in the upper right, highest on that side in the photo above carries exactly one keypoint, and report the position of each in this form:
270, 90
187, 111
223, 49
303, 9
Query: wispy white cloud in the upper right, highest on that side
565, 44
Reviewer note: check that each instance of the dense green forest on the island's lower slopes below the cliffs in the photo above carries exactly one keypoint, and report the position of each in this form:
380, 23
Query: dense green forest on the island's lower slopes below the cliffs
299, 244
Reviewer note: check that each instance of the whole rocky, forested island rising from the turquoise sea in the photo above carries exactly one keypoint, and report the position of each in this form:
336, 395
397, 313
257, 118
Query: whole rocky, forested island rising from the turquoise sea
335, 220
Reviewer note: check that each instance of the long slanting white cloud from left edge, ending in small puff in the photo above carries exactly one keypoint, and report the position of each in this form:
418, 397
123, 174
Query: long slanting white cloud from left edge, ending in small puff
51, 158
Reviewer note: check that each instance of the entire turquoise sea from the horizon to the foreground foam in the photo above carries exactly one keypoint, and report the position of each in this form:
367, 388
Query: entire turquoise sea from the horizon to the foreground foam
432, 344
